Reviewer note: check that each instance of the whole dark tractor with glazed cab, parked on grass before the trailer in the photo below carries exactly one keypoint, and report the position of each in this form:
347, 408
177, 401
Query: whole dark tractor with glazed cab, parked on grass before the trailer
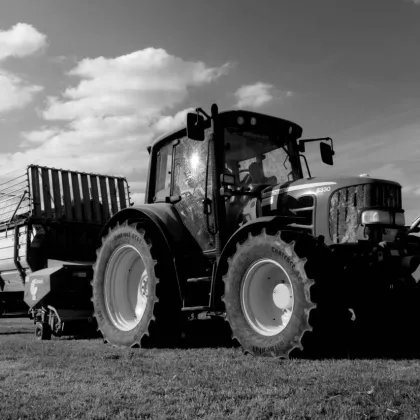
232, 228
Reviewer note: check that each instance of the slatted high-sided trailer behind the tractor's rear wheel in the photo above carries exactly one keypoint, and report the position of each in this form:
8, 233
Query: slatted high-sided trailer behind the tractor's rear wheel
50, 222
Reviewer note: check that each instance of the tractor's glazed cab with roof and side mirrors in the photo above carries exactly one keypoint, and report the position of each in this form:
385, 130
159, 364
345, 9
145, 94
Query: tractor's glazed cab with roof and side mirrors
215, 170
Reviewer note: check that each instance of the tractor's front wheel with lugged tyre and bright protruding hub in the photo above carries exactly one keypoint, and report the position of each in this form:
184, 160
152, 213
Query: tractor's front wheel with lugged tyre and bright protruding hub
267, 296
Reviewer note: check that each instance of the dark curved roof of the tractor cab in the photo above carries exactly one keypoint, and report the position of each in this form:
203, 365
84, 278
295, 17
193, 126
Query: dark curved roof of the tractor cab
264, 123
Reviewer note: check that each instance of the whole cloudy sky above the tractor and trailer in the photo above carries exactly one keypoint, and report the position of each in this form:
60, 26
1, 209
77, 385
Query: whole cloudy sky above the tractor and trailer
88, 84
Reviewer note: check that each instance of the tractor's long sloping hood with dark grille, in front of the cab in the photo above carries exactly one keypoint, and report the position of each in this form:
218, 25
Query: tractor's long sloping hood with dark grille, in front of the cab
331, 206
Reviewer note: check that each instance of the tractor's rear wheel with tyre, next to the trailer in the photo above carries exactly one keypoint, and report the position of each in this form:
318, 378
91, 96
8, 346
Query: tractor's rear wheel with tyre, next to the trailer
132, 307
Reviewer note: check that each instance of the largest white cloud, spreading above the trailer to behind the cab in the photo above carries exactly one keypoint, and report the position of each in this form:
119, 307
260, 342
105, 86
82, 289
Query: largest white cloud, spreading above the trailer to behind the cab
111, 111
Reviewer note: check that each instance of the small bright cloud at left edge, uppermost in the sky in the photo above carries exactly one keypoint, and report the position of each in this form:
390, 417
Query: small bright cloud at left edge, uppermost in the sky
20, 41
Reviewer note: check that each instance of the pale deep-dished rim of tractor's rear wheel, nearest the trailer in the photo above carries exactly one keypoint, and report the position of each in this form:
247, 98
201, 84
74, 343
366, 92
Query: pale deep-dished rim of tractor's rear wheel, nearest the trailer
126, 288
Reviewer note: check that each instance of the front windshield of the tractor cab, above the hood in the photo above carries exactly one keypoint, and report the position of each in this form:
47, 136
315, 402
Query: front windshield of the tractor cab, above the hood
256, 158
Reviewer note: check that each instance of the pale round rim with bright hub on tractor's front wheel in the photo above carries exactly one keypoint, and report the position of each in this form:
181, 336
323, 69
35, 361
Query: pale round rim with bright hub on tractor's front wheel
267, 297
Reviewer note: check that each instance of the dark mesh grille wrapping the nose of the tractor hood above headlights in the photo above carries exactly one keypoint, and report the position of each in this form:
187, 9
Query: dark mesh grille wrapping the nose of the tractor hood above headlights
346, 202
